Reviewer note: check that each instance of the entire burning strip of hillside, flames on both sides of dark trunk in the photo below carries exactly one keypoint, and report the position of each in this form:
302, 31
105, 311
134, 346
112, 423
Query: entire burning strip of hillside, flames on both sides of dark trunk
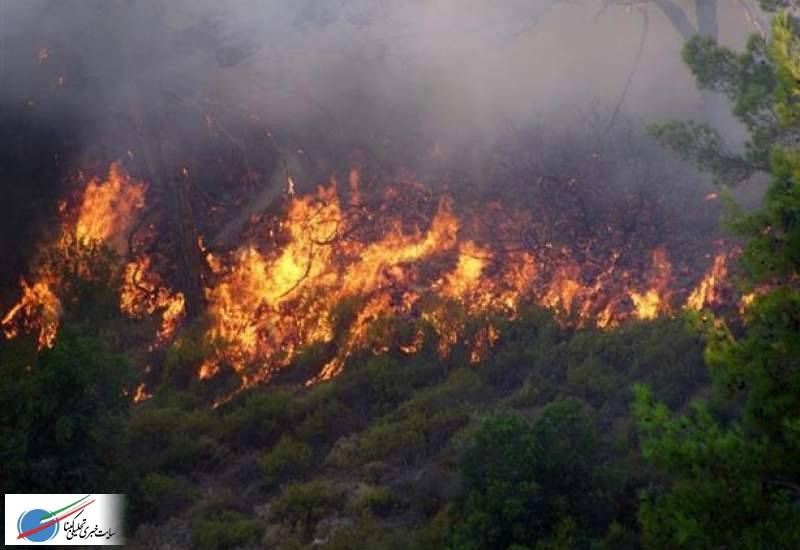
390, 269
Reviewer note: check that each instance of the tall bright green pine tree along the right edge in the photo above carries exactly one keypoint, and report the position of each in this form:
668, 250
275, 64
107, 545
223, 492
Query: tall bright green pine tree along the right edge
734, 477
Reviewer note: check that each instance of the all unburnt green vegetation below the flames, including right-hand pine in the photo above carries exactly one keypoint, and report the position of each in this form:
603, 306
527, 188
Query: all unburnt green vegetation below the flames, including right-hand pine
544, 445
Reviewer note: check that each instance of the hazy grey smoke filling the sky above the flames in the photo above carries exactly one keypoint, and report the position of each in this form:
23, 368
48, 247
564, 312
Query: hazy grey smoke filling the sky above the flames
88, 81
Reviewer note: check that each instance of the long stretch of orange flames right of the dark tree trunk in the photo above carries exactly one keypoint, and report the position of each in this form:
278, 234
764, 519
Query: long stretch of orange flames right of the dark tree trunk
320, 281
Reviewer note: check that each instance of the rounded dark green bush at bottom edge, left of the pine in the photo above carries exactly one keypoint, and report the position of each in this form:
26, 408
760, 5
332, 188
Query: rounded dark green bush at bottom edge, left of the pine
531, 481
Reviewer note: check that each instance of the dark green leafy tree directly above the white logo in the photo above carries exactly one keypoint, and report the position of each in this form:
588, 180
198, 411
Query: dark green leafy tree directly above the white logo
64, 411
